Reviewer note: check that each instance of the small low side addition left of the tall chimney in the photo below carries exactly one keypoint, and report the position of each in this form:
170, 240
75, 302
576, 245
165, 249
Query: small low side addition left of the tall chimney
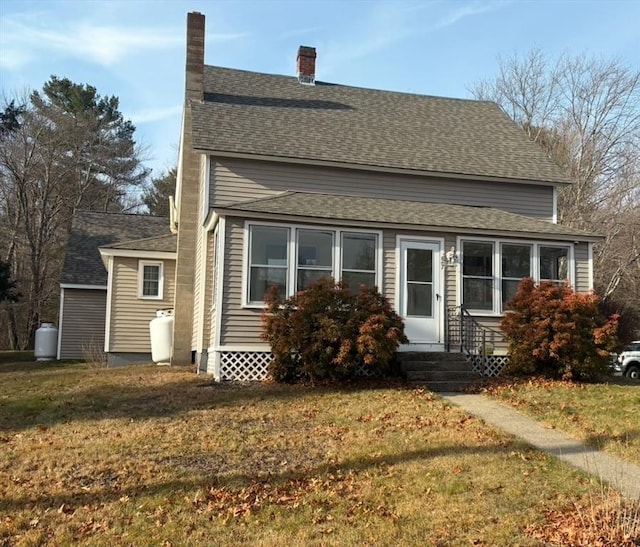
118, 270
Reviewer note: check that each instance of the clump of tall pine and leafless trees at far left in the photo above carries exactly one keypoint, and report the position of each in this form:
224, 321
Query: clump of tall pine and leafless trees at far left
62, 149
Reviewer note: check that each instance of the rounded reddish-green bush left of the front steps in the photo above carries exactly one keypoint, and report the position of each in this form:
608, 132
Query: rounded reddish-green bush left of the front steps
327, 332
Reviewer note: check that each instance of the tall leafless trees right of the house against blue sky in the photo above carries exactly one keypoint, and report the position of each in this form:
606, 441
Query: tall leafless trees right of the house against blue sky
585, 112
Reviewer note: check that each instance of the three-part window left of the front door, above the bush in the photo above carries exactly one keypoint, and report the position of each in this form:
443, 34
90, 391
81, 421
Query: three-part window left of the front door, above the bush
292, 258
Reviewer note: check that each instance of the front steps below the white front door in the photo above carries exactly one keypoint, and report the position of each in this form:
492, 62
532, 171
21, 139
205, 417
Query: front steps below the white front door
439, 371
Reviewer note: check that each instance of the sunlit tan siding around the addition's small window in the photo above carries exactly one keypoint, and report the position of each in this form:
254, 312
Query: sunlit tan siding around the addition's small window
130, 315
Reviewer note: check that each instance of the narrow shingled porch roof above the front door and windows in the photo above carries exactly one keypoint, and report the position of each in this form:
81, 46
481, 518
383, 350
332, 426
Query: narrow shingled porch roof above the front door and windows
458, 218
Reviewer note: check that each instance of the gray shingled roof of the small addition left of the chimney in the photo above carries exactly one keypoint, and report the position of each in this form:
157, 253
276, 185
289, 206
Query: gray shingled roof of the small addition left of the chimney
90, 230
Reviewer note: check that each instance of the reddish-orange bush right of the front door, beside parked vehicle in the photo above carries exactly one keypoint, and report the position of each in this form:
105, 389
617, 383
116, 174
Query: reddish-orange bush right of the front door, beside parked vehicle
557, 332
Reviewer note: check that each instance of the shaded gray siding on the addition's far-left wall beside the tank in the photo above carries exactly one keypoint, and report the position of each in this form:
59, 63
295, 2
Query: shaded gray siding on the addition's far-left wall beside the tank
83, 321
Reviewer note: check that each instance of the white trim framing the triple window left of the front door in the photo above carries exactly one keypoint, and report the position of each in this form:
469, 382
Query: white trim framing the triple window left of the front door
292, 252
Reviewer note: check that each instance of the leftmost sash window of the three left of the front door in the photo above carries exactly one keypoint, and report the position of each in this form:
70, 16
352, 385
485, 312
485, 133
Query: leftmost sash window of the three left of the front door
268, 261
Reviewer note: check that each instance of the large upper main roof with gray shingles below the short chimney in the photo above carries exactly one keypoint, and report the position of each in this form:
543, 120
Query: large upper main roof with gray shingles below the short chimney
275, 116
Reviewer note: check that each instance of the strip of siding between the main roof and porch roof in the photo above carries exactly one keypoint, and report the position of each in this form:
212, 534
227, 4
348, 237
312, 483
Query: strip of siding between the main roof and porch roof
239, 180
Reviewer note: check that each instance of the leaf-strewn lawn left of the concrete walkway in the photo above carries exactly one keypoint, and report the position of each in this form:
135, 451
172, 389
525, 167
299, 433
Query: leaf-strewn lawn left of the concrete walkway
151, 455
